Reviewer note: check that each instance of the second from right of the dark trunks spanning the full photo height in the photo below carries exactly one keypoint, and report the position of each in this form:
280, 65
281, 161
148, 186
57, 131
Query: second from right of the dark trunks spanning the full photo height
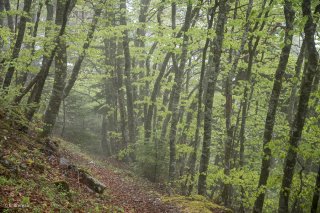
273, 103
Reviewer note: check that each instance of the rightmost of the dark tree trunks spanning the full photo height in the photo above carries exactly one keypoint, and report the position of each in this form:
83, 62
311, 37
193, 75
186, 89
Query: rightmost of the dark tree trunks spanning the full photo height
302, 110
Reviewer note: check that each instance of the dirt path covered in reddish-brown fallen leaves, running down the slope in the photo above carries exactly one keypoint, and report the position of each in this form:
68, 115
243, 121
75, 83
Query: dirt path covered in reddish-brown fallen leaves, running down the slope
132, 194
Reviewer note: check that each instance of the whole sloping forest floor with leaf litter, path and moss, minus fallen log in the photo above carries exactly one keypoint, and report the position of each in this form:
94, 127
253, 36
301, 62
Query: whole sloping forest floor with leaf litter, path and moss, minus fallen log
35, 177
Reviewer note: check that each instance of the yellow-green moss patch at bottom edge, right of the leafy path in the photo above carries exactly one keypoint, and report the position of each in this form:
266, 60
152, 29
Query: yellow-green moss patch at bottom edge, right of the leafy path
195, 203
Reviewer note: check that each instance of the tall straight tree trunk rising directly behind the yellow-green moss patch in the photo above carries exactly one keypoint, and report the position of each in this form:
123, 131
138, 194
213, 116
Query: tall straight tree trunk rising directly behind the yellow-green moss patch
217, 51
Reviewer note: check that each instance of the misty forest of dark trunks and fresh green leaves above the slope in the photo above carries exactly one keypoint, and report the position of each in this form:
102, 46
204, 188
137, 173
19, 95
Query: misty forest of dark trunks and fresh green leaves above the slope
216, 98
